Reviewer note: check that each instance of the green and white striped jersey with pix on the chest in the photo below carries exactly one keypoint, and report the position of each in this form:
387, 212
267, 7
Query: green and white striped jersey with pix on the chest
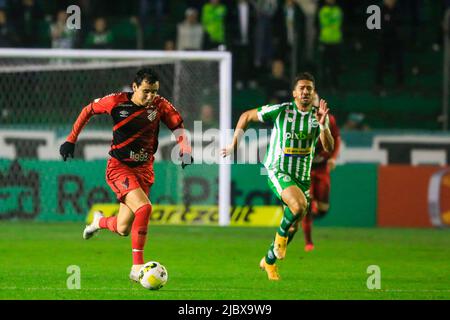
293, 139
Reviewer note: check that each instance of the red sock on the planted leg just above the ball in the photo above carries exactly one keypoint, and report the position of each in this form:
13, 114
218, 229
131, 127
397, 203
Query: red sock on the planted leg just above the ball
139, 232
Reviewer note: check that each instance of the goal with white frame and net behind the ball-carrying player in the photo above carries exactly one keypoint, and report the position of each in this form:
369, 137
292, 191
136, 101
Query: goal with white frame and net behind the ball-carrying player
41, 95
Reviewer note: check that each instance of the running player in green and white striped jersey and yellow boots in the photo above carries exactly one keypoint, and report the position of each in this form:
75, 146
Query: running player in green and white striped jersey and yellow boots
297, 126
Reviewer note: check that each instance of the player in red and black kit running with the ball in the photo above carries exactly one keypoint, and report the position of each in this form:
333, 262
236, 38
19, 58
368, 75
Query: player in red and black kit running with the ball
129, 172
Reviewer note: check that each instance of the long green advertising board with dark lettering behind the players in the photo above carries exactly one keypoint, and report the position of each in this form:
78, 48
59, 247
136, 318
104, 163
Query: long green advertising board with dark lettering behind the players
58, 191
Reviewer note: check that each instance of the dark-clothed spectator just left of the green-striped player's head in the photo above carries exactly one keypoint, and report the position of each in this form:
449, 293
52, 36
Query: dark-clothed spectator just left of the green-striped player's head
277, 84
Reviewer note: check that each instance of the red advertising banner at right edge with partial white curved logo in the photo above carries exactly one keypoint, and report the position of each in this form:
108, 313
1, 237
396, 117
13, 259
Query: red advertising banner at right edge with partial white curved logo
413, 196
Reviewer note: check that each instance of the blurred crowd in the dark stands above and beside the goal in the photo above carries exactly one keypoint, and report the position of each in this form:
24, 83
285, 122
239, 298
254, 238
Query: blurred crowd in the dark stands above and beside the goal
271, 40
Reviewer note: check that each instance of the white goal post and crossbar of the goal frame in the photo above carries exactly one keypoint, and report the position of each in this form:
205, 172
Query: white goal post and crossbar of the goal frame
127, 57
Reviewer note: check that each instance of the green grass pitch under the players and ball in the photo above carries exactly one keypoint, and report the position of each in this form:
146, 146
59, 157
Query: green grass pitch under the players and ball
222, 263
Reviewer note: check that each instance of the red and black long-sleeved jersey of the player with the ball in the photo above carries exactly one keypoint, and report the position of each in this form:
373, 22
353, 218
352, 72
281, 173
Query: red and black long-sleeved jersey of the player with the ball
136, 128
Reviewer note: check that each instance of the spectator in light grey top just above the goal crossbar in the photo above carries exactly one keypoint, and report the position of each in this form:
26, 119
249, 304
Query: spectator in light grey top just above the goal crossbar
190, 32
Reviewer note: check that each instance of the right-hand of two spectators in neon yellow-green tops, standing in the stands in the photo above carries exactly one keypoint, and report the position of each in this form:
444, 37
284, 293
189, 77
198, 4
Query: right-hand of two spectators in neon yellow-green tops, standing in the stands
330, 38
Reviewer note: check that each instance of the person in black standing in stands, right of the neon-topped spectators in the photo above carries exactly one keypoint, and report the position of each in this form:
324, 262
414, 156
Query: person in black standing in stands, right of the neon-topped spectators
390, 50
